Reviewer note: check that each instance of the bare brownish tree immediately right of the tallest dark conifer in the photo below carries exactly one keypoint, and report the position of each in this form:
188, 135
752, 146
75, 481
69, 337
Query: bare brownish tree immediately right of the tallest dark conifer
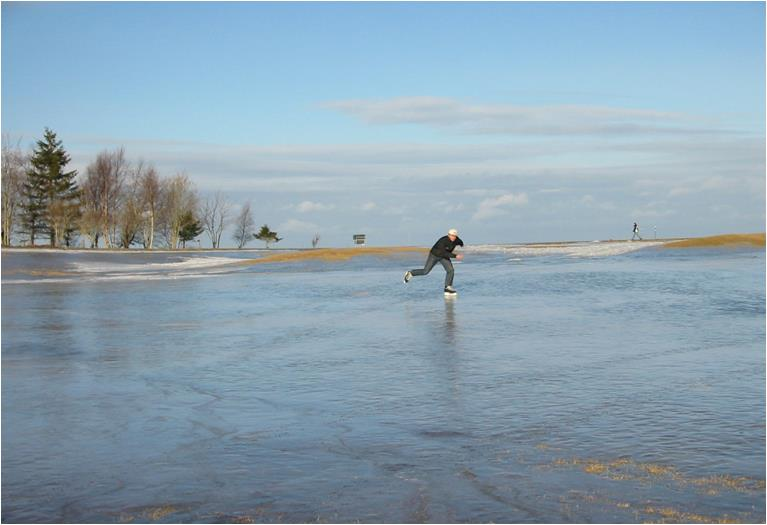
104, 179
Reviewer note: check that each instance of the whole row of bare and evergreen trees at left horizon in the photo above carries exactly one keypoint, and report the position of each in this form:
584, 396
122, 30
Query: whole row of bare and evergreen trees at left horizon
114, 204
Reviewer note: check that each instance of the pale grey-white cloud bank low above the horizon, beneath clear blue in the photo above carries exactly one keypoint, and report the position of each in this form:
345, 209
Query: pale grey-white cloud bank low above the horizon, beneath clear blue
557, 171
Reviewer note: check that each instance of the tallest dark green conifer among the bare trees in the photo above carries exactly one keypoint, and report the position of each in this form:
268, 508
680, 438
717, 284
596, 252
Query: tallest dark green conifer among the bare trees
50, 193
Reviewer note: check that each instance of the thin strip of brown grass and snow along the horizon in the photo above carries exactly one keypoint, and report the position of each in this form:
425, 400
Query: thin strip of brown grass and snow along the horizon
734, 239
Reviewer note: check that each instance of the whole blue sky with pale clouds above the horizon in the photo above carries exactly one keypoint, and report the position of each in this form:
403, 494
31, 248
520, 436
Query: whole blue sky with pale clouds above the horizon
510, 121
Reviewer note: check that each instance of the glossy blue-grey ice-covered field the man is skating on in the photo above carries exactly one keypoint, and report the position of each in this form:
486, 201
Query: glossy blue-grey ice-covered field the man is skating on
587, 382
